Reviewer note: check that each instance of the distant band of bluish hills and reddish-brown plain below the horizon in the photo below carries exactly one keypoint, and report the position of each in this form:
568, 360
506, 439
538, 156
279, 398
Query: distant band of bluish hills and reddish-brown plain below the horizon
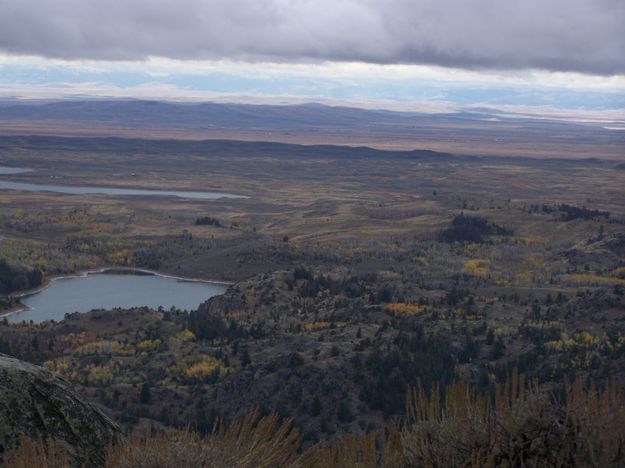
483, 132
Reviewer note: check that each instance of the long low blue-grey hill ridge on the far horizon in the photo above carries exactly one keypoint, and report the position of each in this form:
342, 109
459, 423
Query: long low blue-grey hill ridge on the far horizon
219, 114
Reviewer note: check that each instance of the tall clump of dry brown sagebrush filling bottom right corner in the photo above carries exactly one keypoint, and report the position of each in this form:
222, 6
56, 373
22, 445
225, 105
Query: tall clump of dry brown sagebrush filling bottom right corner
518, 426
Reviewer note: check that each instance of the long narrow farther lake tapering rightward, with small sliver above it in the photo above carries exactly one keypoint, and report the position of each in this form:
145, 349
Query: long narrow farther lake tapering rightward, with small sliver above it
77, 190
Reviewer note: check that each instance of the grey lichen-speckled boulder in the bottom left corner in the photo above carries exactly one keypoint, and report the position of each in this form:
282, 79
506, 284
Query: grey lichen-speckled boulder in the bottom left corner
35, 403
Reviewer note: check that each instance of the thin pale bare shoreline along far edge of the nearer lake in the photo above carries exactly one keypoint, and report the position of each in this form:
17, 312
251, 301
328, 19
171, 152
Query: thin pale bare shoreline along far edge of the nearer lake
103, 270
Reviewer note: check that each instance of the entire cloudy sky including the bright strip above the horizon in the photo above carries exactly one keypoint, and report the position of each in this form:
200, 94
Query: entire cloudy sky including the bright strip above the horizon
563, 43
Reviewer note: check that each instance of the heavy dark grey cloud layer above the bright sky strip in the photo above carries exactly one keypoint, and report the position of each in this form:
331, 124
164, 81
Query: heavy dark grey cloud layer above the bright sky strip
563, 35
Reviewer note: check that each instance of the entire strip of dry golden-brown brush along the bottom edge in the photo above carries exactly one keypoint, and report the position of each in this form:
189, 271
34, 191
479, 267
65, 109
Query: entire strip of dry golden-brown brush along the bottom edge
517, 425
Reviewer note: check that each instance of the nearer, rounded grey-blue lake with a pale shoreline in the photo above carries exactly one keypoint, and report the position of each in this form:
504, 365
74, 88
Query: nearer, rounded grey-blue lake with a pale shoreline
110, 290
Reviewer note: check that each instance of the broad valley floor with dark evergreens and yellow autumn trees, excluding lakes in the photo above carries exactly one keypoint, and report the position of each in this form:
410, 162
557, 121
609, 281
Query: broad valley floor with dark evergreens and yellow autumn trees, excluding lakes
358, 273
